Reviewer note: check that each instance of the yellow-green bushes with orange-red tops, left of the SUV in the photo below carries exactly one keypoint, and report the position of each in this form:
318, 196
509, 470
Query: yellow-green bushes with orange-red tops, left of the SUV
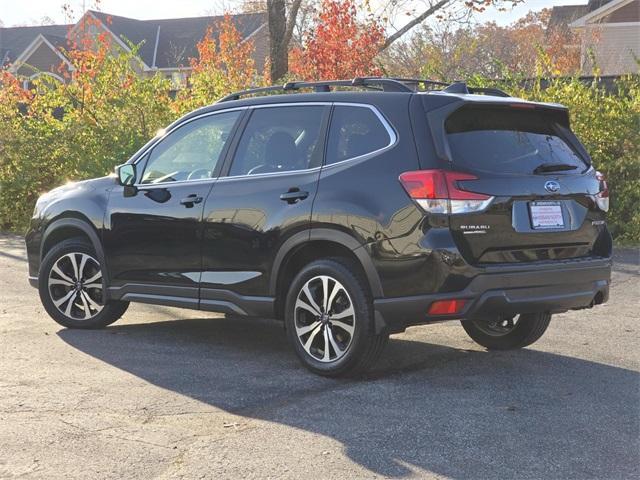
83, 128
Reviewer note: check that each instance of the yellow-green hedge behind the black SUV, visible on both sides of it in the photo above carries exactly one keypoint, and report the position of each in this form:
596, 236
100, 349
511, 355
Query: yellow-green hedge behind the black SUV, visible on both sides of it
110, 112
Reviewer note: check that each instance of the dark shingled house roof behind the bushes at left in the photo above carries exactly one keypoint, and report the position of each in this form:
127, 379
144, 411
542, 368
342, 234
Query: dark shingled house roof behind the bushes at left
164, 43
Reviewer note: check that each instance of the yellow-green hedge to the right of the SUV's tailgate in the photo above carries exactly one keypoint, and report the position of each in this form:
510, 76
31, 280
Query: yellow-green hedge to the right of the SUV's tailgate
608, 124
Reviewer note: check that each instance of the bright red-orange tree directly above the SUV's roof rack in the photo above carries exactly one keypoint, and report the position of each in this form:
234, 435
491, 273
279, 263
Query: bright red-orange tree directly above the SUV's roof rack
338, 45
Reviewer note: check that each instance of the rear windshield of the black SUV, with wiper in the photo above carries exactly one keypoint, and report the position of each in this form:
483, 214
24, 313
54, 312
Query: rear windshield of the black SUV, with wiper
510, 140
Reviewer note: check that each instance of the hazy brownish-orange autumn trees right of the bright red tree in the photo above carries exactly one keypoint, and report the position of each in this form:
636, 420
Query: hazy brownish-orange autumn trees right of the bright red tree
526, 48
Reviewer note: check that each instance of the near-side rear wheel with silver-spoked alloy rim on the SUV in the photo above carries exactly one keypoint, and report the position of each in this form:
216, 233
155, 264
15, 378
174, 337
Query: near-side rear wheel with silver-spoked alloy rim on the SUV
343, 344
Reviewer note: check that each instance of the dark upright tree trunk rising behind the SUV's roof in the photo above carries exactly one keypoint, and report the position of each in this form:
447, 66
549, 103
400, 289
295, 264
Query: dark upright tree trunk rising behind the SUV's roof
281, 25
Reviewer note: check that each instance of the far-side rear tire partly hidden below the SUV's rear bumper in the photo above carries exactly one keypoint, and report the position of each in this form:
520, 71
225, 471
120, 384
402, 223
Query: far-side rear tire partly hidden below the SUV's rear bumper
500, 335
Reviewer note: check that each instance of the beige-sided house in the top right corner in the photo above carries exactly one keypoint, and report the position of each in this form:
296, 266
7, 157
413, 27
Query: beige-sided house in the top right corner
610, 36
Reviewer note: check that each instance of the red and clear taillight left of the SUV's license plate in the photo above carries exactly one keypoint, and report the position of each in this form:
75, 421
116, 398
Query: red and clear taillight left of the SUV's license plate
438, 191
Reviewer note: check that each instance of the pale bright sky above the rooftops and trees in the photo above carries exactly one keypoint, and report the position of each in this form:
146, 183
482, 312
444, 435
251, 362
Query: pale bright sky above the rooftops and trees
30, 12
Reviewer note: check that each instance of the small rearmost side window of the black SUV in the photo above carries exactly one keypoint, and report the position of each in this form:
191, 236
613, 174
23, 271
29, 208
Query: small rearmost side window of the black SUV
355, 131
